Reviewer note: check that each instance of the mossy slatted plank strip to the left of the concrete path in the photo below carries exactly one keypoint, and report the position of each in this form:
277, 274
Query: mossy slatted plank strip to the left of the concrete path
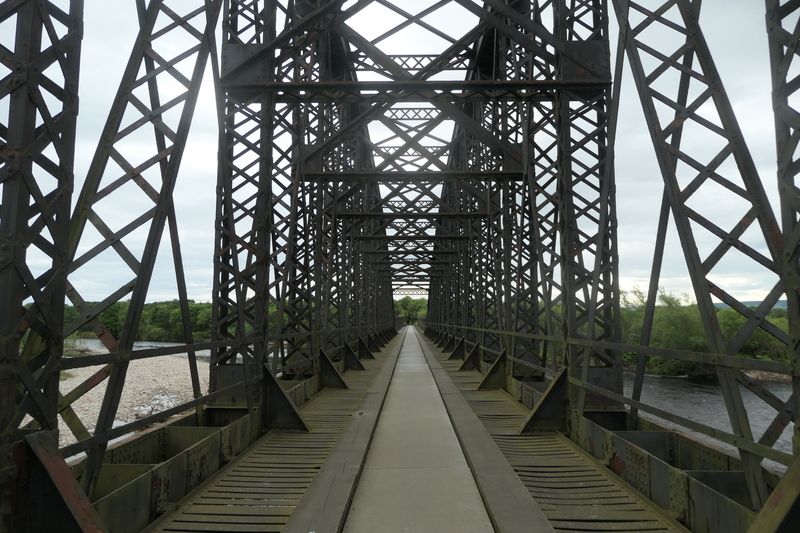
260, 490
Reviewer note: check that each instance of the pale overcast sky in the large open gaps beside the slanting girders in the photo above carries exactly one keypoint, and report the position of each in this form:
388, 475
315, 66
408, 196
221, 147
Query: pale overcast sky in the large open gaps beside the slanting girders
736, 34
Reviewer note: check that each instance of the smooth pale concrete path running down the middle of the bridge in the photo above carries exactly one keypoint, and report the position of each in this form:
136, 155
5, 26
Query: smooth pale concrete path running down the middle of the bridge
415, 478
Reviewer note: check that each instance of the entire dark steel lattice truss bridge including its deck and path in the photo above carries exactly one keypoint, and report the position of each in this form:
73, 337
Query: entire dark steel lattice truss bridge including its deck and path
459, 149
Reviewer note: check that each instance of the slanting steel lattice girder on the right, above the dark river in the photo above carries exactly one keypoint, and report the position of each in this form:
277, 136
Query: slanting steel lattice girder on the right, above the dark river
708, 171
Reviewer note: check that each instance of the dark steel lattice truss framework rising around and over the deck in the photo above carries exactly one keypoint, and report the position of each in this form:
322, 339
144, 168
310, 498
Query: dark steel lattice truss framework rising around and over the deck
458, 149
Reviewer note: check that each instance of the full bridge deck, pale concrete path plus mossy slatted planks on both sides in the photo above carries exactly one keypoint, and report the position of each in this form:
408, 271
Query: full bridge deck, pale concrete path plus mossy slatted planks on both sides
415, 471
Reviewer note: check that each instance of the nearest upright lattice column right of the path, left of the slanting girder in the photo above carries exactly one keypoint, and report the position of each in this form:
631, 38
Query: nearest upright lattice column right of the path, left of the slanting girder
587, 218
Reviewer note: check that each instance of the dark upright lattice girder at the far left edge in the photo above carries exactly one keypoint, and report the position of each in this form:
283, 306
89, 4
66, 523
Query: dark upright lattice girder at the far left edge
37, 146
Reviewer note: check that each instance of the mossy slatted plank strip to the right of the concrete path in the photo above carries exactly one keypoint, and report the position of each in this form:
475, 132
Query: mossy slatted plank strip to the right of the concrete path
572, 489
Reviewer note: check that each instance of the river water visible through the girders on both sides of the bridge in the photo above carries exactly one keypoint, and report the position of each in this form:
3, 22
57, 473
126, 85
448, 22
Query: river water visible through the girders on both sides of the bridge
700, 401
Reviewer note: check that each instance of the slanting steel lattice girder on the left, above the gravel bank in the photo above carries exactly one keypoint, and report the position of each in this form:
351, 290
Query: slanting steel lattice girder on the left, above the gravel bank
117, 168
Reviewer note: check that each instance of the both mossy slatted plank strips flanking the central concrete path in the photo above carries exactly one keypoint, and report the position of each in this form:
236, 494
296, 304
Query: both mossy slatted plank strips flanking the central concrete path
260, 490
